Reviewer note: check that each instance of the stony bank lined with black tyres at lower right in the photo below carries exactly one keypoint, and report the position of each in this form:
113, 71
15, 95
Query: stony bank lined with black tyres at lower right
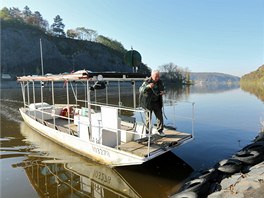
240, 176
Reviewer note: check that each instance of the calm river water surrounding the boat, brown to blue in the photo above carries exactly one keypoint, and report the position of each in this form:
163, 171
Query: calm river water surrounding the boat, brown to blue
226, 119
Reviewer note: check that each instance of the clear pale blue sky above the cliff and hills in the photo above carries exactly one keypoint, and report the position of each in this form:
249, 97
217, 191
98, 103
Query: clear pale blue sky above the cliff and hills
225, 36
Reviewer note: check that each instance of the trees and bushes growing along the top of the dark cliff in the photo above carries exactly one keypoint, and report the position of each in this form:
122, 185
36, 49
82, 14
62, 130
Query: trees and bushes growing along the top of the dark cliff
56, 29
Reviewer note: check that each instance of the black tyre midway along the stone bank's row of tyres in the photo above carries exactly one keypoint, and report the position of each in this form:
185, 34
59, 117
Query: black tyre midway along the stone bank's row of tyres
230, 166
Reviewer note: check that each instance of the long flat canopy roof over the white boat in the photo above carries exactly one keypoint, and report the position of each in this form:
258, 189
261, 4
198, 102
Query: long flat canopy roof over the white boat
84, 75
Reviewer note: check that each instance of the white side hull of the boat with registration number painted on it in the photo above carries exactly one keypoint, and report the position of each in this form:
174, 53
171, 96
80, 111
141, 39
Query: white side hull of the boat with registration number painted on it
97, 152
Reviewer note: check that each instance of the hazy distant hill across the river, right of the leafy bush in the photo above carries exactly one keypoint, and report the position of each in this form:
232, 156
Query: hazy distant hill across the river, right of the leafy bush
212, 77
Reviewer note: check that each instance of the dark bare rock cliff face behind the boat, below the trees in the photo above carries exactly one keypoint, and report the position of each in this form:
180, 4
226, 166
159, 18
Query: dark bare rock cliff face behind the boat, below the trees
20, 53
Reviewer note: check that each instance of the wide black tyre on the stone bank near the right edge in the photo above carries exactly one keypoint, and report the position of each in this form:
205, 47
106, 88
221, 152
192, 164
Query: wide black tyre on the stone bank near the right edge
248, 157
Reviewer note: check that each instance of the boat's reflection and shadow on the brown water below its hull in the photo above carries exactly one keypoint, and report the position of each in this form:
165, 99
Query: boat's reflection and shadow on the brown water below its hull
58, 172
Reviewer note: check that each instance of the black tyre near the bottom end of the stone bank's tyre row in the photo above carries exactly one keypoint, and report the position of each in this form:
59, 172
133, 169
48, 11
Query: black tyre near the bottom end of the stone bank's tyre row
198, 186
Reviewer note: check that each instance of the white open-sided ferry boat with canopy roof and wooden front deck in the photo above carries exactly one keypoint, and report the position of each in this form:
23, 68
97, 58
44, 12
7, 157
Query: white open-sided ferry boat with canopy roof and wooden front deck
112, 134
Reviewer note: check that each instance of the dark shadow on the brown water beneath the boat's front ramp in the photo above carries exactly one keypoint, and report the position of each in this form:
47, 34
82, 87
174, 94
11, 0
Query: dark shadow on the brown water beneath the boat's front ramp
160, 177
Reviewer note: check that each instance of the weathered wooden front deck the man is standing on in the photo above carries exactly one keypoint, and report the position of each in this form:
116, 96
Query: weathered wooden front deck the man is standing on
140, 147
